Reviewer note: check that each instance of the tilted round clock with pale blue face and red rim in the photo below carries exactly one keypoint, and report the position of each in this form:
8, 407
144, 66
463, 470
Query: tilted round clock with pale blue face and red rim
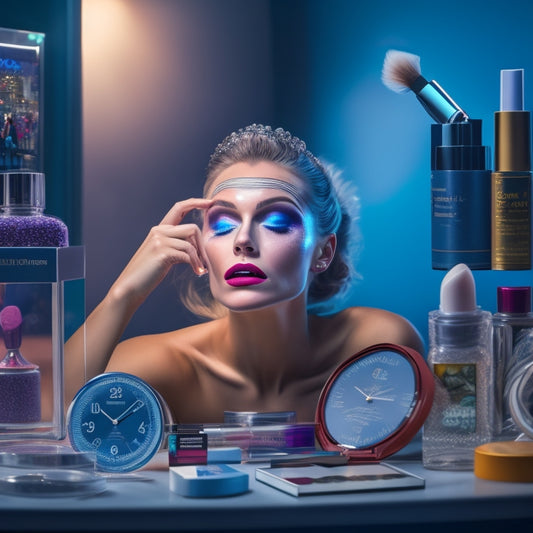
374, 401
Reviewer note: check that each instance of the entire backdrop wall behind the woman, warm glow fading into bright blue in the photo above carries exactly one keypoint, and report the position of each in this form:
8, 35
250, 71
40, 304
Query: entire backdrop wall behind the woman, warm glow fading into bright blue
199, 69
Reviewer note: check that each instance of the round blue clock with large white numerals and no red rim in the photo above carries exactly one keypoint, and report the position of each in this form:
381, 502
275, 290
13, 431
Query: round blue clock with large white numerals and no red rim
120, 417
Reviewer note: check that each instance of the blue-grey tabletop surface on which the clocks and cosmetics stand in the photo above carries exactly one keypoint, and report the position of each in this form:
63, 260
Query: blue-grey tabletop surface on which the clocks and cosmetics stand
142, 501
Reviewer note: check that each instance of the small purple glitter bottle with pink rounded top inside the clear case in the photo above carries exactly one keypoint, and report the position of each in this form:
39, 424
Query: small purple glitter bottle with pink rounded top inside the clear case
20, 380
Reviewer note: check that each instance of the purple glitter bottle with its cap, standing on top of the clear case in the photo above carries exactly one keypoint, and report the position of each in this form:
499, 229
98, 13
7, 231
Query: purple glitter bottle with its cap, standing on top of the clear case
22, 218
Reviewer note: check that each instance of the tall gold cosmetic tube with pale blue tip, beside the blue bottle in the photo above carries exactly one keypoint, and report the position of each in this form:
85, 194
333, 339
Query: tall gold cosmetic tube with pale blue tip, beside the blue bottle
511, 179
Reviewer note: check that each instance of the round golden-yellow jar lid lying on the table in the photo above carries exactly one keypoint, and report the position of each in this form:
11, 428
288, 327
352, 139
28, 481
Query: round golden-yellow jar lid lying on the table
505, 461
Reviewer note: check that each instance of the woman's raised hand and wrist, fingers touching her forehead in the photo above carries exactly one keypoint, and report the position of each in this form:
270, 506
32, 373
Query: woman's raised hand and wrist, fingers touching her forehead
167, 244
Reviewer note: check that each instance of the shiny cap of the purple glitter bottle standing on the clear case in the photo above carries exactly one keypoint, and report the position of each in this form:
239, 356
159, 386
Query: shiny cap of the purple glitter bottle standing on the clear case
22, 188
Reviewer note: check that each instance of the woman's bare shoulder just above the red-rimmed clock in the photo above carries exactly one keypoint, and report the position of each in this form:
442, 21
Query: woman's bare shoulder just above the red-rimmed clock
365, 326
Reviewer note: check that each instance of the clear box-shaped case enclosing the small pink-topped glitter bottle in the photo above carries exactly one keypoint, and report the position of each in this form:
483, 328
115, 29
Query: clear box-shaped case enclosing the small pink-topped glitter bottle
47, 285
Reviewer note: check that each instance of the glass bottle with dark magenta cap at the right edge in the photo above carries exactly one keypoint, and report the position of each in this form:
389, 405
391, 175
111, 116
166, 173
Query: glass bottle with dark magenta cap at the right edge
513, 351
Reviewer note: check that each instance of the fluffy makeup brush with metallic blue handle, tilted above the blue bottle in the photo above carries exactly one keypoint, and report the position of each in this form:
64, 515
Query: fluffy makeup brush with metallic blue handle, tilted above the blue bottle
401, 73
